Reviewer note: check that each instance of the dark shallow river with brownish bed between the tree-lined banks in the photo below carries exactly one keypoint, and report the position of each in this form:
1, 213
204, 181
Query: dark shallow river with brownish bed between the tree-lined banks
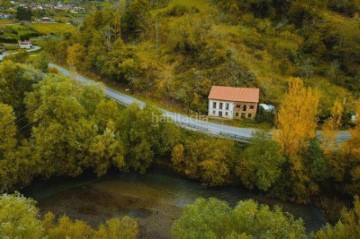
156, 199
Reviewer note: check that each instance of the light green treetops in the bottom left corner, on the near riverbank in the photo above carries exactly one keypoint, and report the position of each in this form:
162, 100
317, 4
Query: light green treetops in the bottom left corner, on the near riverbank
20, 219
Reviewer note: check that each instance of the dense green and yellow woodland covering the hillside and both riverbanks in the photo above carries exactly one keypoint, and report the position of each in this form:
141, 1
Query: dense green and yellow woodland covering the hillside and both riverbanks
309, 57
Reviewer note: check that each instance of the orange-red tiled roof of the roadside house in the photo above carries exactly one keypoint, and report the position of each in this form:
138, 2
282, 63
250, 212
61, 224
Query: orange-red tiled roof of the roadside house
236, 94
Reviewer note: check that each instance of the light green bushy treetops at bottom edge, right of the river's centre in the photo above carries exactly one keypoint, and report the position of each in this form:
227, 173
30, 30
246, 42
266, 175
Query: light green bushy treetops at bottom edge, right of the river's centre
213, 218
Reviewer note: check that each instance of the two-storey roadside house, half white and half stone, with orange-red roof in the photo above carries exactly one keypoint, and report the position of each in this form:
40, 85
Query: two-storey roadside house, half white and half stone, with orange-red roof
233, 102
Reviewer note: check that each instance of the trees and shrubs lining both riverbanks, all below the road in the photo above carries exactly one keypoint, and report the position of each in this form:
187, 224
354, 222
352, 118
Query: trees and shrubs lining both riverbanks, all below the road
52, 126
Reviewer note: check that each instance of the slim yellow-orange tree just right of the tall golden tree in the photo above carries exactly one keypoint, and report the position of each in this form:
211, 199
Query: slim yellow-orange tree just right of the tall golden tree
330, 128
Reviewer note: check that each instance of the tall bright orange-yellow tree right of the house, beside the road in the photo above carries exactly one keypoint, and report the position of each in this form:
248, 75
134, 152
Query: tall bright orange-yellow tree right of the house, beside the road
296, 119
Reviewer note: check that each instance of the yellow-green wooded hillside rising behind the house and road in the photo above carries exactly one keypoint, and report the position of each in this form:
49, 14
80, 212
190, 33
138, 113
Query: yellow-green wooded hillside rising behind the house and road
174, 51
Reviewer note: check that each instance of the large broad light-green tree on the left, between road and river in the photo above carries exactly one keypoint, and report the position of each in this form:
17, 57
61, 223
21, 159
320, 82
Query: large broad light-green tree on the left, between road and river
70, 131
